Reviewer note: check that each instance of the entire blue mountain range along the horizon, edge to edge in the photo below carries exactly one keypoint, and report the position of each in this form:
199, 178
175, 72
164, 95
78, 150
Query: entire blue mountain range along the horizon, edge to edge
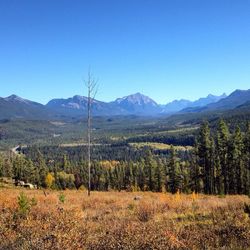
137, 104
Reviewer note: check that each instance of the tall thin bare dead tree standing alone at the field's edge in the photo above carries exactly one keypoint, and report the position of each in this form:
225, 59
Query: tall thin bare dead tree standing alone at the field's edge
92, 87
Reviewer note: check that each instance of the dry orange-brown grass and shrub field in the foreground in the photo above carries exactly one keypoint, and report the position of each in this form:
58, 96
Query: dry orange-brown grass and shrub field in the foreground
121, 220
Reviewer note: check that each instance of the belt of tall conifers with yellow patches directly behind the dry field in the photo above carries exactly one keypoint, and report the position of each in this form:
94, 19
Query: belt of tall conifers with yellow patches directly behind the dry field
218, 164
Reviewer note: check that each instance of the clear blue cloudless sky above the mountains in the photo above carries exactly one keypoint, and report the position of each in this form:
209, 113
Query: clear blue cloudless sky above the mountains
166, 49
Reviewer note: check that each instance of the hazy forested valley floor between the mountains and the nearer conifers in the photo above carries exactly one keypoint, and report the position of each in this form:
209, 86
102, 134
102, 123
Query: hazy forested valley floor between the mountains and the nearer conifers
178, 129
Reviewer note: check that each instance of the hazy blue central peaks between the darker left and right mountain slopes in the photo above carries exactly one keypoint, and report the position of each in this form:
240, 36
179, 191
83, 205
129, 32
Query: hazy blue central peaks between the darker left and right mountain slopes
136, 104
